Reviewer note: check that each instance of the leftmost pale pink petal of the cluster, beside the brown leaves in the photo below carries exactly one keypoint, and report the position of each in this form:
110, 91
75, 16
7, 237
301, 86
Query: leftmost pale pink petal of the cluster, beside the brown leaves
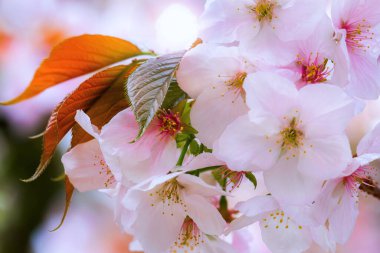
84, 164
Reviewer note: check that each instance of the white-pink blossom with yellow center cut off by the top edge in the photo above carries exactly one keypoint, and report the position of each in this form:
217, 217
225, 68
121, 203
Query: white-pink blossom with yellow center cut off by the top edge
261, 26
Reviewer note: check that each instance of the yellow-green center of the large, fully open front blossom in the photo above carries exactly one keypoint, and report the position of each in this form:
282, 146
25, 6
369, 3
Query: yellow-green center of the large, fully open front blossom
291, 136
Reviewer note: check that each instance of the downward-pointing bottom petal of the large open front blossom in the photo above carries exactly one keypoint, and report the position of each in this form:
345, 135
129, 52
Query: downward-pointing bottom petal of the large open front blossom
289, 186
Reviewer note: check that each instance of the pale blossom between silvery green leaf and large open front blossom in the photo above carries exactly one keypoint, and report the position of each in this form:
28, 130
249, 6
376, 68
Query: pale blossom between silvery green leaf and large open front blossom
214, 76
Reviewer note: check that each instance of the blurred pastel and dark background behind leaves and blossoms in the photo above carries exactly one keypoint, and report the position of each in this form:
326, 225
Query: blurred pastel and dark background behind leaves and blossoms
28, 211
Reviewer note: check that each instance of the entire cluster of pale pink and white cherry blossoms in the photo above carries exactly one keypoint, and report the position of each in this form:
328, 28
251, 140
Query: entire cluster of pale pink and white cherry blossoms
272, 89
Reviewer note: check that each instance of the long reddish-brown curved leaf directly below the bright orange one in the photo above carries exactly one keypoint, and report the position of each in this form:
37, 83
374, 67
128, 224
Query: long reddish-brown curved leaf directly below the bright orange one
62, 119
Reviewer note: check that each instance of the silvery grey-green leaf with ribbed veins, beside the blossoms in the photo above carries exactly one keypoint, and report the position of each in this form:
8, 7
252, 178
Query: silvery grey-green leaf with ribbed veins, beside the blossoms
148, 85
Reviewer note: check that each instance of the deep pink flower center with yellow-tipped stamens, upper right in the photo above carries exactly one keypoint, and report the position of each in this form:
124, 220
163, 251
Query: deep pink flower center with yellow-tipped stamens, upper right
312, 70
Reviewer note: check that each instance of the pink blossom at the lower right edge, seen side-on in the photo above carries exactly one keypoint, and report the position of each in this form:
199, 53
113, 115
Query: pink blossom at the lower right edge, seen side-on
338, 203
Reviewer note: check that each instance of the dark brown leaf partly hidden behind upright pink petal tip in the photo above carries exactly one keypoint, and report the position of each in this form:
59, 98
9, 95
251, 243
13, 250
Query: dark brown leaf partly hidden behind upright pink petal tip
106, 107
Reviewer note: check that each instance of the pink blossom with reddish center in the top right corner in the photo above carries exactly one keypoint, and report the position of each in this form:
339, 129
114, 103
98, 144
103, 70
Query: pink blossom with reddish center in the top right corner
357, 24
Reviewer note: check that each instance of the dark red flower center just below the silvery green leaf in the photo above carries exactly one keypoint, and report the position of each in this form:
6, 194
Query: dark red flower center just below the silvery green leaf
169, 123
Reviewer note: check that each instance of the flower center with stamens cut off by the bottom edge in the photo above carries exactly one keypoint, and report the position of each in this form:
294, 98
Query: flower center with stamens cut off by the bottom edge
189, 238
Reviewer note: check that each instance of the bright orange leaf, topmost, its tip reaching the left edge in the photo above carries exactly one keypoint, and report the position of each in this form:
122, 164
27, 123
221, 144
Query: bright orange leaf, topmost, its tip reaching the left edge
75, 57
